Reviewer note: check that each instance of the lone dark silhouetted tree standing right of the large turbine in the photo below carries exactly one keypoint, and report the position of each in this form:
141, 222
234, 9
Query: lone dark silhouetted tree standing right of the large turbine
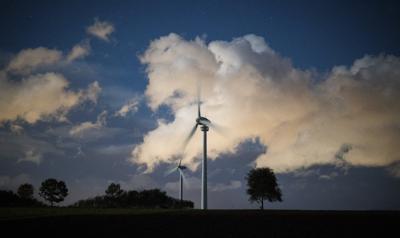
262, 185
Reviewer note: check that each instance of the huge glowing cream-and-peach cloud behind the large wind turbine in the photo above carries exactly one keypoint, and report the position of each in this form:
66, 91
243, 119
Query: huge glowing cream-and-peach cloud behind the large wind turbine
253, 92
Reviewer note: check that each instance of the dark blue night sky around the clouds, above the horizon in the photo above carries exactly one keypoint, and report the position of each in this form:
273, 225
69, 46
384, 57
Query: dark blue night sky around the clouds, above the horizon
313, 36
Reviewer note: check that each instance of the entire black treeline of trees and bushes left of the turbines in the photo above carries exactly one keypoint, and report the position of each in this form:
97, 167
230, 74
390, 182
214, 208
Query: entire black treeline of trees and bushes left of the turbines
54, 191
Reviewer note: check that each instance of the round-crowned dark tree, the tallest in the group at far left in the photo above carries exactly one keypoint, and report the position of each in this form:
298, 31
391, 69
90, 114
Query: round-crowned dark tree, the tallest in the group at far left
53, 190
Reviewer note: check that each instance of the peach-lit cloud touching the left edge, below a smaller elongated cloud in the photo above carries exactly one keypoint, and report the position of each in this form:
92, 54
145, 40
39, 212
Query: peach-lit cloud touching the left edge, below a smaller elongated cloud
38, 97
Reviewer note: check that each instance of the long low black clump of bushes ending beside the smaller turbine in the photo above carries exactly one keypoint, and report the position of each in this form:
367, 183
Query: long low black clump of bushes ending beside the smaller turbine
115, 197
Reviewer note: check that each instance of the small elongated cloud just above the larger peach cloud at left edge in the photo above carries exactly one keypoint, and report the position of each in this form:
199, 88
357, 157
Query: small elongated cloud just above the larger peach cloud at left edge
29, 59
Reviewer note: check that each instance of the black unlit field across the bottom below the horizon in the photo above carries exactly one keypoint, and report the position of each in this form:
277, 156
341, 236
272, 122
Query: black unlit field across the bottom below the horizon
194, 223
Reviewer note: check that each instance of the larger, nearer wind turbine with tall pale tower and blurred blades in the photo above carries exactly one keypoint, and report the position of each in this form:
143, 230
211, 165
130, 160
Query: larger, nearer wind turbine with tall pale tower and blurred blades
204, 124
